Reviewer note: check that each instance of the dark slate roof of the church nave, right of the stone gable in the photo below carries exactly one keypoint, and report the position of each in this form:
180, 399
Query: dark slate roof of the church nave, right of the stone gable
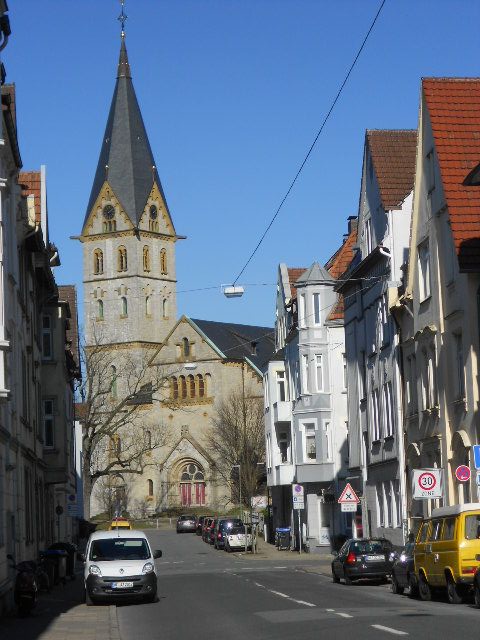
239, 341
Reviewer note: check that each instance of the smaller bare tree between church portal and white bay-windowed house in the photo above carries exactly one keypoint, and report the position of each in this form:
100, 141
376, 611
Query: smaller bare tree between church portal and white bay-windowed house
236, 441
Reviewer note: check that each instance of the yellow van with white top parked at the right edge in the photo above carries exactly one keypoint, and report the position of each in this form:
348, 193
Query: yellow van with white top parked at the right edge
447, 551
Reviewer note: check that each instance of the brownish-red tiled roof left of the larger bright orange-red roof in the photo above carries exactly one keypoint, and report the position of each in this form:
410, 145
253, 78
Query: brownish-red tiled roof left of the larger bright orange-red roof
393, 154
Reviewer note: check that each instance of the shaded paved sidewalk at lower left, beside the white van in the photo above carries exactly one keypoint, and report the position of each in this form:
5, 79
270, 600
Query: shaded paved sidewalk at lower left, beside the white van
62, 615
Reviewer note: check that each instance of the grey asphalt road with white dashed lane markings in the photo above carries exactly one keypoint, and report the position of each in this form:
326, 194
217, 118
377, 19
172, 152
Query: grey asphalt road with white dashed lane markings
204, 593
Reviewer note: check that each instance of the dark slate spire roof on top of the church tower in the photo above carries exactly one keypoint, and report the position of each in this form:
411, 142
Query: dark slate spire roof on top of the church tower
126, 160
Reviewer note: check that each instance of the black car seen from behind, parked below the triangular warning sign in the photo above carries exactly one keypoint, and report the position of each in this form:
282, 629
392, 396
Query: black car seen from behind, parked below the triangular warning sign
366, 558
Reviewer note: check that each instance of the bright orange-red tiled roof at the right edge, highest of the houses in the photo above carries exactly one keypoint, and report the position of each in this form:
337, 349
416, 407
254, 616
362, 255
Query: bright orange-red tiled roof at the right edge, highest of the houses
454, 108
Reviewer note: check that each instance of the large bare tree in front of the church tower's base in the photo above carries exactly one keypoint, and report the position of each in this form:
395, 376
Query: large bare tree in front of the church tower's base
117, 387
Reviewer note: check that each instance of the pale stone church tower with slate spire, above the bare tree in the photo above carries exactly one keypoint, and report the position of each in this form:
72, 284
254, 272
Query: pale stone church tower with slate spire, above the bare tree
128, 234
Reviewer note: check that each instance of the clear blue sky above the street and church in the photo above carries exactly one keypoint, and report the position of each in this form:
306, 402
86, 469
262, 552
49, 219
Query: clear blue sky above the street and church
232, 93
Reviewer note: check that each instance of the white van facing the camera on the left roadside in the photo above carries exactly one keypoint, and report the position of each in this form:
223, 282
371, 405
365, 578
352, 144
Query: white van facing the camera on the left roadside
119, 564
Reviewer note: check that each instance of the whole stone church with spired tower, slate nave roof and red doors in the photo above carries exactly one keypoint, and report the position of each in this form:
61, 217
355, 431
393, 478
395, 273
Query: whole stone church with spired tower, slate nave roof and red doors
129, 277
